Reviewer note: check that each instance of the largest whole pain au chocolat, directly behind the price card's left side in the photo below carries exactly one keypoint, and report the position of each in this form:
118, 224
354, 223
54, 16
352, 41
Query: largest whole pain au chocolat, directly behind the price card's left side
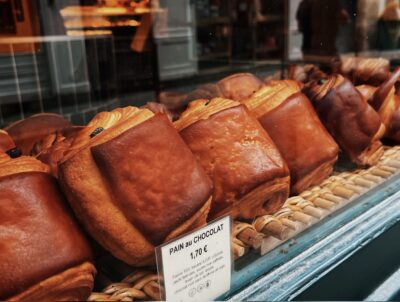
133, 183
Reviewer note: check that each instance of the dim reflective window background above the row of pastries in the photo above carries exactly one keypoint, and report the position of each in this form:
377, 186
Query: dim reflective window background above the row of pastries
77, 58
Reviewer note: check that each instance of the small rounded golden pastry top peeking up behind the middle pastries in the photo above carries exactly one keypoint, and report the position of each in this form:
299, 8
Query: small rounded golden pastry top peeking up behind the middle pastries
239, 86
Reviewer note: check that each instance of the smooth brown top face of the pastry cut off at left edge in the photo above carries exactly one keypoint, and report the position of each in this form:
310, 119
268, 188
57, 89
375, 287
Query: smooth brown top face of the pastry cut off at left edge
38, 238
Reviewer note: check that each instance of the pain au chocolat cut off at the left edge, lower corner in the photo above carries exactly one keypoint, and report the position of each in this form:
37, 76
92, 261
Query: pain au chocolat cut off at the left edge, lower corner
43, 254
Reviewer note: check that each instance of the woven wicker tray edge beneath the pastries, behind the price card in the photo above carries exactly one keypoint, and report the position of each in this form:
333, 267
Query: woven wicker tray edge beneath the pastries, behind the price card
267, 232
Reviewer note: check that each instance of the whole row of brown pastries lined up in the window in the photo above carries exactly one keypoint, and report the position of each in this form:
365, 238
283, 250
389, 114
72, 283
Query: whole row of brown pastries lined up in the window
133, 179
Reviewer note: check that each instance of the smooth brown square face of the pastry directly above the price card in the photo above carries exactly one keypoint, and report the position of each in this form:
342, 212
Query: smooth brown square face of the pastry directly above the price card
153, 176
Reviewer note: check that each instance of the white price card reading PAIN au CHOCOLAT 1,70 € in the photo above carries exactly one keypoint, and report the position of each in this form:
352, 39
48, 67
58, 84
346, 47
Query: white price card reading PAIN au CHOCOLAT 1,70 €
197, 266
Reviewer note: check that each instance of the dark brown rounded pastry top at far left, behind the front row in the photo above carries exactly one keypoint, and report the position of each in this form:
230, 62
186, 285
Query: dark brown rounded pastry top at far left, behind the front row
27, 132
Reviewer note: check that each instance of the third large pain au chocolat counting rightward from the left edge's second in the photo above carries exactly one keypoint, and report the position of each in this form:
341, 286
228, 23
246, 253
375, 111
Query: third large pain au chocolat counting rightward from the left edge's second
289, 118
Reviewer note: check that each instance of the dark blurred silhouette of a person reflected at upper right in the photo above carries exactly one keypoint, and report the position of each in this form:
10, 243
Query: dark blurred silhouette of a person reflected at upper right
319, 22
